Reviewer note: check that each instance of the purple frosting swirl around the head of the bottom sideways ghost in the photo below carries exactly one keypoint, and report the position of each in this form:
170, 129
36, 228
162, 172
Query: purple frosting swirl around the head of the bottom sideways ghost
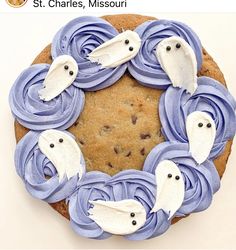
140, 186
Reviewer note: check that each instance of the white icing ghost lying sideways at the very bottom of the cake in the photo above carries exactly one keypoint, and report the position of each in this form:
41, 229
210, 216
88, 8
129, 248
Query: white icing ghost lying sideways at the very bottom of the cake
118, 217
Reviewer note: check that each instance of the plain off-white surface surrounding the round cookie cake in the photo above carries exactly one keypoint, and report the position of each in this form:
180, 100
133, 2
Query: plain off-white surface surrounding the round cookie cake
27, 223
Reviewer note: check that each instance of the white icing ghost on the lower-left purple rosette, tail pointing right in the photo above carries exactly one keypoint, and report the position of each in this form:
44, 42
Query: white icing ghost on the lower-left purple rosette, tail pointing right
63, 151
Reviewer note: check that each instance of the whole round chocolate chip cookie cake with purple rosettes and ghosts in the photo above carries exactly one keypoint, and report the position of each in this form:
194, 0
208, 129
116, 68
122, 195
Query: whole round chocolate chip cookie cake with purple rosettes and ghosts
123, 125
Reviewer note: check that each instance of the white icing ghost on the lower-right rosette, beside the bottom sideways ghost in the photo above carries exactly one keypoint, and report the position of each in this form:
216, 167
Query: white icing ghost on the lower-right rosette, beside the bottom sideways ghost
170, 188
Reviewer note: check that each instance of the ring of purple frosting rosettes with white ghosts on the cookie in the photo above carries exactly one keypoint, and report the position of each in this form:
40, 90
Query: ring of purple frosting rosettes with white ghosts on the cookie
178, 177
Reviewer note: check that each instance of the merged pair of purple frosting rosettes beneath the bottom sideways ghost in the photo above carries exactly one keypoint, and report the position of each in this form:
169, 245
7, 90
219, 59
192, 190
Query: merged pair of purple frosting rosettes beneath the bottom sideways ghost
128, 184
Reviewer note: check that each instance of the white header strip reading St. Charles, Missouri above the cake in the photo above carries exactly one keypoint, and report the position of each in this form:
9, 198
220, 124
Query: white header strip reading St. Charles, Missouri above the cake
116, 6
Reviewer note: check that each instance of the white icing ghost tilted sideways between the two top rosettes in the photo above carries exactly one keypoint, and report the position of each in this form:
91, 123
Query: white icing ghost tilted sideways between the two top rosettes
117, 51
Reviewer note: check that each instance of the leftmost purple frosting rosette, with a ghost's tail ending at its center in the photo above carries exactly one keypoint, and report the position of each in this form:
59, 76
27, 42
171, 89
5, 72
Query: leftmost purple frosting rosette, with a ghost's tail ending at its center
36, 114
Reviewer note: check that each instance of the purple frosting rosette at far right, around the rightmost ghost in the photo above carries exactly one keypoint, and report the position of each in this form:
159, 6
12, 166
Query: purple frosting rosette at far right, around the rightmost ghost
211, 97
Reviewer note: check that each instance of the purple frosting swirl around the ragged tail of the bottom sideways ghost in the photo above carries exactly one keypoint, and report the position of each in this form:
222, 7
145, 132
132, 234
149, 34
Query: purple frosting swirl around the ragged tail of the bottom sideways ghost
91, 187
